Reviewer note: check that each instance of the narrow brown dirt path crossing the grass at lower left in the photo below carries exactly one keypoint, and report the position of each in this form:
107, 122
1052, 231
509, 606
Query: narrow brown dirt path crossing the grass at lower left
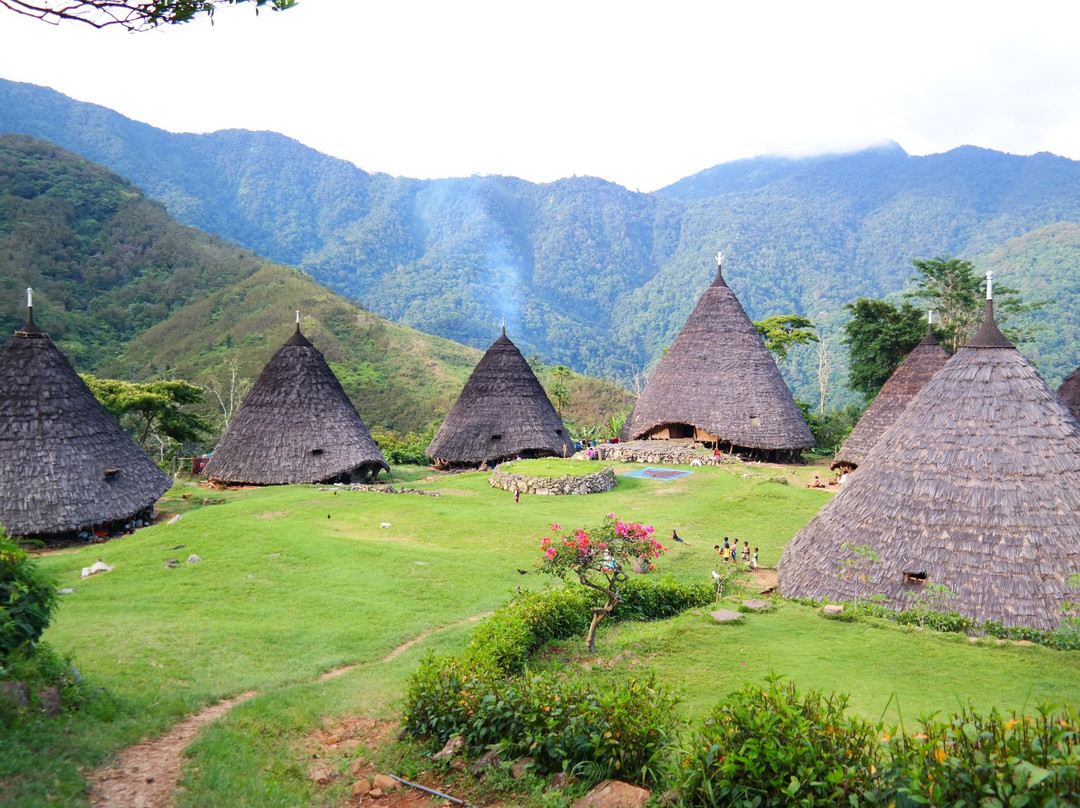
147, 774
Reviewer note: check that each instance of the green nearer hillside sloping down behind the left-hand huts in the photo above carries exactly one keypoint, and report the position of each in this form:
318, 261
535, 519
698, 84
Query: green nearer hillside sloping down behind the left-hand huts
127, 292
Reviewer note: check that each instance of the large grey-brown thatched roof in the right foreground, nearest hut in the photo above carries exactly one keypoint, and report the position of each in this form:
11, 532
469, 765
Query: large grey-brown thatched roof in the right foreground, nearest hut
977, 486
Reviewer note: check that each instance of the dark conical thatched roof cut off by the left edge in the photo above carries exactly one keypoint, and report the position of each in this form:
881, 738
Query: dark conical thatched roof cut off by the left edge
65, 463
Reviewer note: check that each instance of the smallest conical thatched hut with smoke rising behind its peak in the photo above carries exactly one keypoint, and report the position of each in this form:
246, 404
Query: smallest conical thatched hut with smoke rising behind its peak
503, 413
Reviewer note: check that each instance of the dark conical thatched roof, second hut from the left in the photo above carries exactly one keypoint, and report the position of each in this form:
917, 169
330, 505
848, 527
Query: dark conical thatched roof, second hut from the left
296, 425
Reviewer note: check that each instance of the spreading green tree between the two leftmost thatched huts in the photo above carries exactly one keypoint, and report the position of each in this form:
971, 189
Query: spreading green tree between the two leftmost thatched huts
154, 412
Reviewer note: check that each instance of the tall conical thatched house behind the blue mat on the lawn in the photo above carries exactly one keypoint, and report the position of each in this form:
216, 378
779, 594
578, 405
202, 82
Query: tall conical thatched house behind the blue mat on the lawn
720, 386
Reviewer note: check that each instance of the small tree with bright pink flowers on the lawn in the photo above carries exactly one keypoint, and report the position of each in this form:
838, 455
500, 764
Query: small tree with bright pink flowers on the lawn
596, 559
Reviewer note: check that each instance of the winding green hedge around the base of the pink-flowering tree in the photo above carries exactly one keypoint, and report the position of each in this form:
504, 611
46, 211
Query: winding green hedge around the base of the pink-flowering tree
620, 731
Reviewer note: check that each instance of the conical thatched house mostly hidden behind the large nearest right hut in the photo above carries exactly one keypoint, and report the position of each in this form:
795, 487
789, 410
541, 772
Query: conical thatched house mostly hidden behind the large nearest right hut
925, 360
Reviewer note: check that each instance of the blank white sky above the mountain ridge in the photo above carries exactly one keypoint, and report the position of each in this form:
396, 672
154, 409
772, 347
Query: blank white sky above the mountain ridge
640, 93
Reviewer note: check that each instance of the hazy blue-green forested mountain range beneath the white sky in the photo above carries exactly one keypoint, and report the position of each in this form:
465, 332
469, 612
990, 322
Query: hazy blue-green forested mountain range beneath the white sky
587, 273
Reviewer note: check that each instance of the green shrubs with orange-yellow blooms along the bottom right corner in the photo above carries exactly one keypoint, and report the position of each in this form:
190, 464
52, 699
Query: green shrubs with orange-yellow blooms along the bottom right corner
773, 747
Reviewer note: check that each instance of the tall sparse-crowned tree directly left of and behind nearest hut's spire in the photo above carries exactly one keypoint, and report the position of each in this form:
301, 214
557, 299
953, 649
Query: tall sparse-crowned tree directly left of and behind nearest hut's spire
952, 288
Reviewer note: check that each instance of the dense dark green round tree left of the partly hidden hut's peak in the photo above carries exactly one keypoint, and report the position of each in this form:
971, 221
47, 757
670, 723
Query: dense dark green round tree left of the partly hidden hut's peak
880, 336
